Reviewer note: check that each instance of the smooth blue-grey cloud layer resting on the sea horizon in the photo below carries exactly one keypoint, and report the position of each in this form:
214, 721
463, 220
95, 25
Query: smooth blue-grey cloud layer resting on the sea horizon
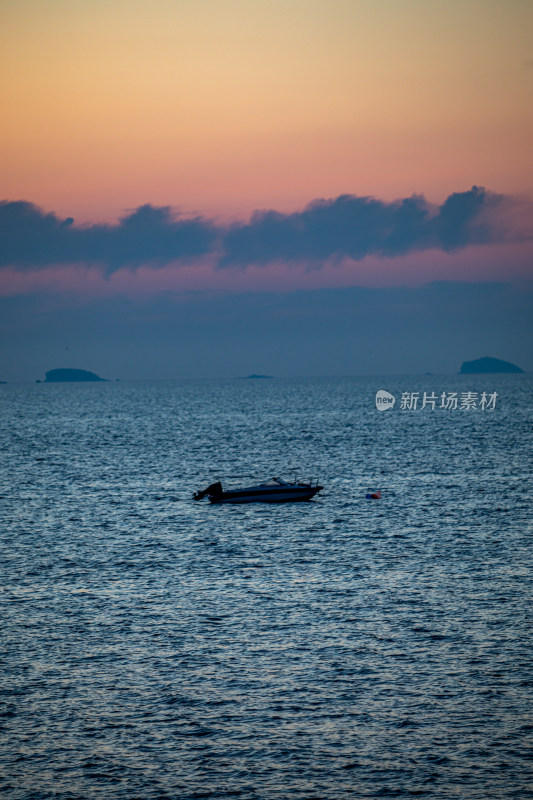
320, 332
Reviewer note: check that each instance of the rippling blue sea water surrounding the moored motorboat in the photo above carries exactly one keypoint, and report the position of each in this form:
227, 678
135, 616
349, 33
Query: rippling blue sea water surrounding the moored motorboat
154, 647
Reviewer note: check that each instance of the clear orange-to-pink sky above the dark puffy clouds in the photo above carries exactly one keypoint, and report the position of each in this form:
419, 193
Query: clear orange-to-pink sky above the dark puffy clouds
224, 106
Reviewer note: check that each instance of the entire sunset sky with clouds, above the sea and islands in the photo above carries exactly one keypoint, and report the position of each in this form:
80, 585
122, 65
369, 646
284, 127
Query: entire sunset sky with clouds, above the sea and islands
296, 187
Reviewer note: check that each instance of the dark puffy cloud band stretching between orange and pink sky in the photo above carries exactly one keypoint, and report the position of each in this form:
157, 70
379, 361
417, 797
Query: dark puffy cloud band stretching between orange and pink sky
347, 226
